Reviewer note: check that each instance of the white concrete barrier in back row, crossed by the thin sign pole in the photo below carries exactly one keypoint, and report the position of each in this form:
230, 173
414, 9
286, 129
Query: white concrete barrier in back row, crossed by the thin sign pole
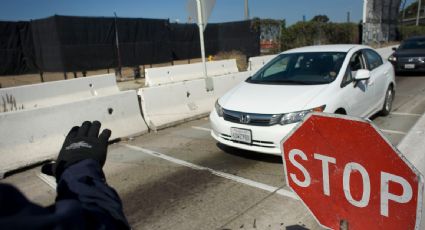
179, 73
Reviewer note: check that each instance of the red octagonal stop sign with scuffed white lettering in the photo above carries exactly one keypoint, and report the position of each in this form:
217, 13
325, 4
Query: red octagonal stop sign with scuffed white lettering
344, 170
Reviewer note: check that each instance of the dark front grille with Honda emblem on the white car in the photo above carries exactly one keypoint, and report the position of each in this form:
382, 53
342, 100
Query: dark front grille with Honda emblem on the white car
250, 118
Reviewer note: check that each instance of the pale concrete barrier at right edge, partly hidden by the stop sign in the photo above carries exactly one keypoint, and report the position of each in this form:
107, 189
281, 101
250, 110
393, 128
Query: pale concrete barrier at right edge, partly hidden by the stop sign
413, 146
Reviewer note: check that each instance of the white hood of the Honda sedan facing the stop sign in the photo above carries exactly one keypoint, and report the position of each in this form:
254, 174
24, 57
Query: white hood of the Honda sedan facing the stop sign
270, 99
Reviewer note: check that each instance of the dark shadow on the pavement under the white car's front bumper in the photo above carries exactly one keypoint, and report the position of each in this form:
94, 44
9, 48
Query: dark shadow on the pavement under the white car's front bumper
250, 155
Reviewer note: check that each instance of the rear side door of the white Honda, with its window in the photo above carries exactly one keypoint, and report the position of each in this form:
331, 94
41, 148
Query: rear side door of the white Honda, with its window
378, 76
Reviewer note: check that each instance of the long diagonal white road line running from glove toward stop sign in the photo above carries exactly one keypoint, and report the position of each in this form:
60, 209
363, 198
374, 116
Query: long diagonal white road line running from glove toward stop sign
280, 191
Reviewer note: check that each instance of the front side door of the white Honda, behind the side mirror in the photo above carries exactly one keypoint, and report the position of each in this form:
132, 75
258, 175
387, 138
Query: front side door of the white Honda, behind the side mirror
356, 94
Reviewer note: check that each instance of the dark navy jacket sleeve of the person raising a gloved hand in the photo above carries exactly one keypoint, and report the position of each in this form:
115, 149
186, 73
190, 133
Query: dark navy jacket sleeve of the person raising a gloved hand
84, 201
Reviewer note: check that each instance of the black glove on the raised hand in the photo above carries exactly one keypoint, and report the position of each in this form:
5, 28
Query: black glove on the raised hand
81, 143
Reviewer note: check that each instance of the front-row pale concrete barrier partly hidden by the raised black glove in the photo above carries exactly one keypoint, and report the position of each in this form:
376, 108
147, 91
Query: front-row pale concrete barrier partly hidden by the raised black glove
35, 135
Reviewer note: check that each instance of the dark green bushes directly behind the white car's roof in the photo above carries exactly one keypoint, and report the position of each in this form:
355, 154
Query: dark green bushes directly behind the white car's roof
313, 33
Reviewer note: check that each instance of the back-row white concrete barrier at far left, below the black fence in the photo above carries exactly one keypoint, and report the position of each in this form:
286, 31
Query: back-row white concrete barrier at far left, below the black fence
56, 92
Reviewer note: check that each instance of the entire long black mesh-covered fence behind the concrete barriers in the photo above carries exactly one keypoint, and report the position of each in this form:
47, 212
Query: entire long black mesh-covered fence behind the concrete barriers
70, 44
